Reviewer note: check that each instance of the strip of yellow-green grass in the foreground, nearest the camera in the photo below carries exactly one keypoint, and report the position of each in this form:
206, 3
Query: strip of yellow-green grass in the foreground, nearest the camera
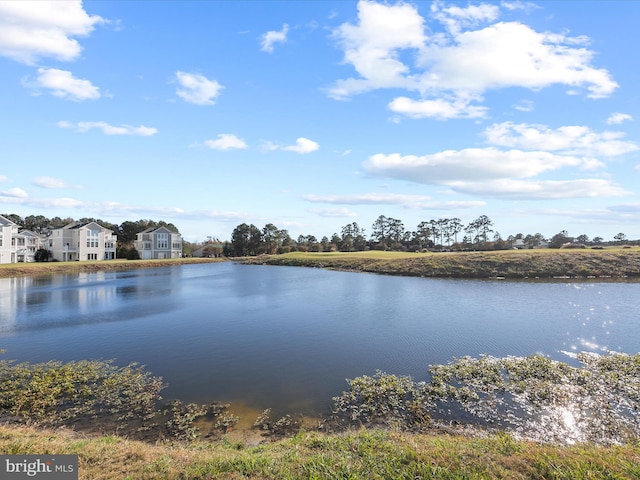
366, 454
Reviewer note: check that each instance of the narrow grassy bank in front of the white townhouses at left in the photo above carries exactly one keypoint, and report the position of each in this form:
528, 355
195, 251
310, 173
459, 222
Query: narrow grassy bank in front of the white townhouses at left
48, 268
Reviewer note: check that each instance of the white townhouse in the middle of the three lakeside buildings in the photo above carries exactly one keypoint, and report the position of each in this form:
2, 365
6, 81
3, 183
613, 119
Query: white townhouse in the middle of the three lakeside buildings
82, 241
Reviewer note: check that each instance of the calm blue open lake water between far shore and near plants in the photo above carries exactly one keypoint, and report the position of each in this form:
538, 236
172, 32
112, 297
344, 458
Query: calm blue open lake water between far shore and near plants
287, 337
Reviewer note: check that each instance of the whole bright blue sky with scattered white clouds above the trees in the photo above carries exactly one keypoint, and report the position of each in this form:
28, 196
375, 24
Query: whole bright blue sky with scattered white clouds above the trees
314, 114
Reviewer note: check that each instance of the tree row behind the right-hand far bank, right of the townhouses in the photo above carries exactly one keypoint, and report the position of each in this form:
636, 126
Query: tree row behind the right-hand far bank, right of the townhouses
389, 233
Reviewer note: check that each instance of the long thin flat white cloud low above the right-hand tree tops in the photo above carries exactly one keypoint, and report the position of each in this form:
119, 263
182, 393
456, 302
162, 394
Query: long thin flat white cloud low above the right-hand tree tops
407, 201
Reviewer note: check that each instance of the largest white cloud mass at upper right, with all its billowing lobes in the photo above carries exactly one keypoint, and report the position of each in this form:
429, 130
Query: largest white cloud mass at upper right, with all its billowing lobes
388, 48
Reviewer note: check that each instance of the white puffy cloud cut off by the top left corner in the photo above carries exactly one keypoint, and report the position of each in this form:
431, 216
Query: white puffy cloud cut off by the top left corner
30, 30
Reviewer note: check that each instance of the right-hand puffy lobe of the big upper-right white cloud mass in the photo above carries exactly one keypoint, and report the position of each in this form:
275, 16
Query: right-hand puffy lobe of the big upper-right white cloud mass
510, 54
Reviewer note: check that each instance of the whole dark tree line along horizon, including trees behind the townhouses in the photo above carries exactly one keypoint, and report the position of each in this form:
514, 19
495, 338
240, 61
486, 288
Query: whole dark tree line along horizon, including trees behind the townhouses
387, 233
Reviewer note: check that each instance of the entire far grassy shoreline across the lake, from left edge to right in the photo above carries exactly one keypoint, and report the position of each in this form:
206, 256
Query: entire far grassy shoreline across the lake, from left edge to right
609, 264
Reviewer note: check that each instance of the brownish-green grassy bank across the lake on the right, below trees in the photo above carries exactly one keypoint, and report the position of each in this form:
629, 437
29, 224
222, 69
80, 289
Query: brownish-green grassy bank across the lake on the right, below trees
543, 263
